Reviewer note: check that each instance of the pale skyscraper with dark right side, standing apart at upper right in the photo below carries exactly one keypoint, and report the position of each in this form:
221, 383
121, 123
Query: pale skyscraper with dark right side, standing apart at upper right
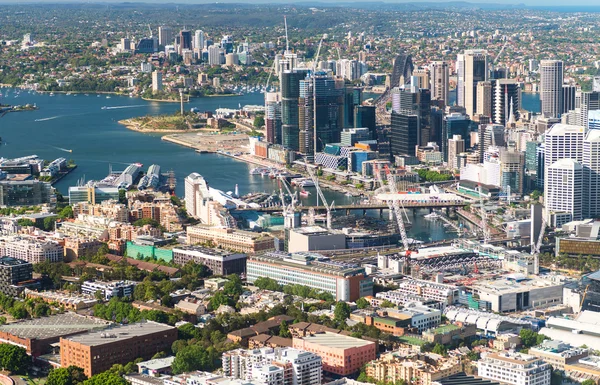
551, 92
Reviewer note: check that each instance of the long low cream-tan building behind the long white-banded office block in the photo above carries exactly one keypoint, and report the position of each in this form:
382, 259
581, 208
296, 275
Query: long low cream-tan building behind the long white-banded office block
248, 242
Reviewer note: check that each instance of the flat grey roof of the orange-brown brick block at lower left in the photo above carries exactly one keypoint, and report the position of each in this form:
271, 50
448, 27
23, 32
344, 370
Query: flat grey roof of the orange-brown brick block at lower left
123, 332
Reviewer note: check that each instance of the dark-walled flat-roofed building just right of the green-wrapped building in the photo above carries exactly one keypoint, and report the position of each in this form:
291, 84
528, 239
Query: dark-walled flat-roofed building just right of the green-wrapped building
220, 262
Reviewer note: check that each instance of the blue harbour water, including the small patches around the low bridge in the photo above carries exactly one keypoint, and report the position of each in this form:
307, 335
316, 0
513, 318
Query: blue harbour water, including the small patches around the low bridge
76, 127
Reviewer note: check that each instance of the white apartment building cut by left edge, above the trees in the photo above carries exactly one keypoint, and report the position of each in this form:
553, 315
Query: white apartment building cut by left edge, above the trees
31, 249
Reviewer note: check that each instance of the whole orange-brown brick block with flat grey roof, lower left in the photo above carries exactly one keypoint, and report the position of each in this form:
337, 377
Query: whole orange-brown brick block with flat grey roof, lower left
98, 351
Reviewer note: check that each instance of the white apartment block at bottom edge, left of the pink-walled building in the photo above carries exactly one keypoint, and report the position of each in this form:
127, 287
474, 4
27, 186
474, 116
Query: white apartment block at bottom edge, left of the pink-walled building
280, 366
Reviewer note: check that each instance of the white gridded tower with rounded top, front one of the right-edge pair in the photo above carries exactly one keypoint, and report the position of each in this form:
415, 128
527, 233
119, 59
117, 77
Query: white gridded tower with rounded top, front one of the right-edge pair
563, 187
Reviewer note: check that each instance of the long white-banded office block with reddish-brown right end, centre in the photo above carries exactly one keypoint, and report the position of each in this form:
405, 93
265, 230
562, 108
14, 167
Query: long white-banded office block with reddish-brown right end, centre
343, 282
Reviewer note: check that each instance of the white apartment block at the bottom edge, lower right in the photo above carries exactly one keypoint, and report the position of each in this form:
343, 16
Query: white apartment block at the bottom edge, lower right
514, 368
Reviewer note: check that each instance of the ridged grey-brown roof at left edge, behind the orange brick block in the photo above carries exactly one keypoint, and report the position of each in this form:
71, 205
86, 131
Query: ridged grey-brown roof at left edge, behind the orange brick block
54, 326
